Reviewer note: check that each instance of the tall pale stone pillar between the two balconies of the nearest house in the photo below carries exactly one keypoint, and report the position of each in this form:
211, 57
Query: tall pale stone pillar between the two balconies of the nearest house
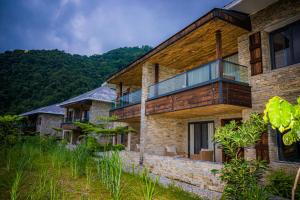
147, 80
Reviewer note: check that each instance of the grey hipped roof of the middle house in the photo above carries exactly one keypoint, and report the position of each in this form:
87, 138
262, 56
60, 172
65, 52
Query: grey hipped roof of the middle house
103, 94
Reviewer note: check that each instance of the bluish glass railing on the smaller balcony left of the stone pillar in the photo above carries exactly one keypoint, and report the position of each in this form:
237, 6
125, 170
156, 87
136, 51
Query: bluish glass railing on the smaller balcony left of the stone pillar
128, 99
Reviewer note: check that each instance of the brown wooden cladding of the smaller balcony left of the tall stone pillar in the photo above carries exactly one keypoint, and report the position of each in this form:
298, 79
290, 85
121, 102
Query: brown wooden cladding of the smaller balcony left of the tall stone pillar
128, 112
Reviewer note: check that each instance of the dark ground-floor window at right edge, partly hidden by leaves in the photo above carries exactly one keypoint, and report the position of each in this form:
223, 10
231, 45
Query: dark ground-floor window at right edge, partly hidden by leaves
288, 153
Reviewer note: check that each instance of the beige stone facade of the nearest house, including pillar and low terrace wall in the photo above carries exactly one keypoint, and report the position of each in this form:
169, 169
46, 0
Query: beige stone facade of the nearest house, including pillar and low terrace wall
158, 131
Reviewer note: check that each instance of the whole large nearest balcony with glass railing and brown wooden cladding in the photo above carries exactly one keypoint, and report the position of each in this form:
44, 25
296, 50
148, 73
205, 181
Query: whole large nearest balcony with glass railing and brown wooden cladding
216, 83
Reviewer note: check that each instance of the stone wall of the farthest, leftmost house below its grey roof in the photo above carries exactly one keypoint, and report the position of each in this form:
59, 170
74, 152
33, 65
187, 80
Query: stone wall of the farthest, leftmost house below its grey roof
48, 122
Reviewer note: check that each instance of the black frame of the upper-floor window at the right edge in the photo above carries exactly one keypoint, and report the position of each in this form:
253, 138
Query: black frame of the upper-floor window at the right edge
291, 59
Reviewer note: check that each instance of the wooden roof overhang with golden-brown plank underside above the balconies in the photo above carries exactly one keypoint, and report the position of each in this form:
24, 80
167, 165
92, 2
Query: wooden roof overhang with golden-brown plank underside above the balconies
192, 46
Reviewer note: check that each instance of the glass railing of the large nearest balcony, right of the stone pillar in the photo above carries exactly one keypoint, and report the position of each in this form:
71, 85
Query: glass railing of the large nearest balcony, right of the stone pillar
200, 75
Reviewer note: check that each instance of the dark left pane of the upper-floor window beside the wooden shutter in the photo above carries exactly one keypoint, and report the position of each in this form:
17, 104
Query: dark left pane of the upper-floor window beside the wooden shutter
281, 48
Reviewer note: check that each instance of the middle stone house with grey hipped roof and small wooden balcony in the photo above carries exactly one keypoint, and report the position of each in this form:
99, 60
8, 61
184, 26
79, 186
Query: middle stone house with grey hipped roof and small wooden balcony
86, 107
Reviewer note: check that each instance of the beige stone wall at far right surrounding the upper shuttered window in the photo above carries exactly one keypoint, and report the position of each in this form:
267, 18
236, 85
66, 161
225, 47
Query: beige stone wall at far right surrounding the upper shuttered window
284, 82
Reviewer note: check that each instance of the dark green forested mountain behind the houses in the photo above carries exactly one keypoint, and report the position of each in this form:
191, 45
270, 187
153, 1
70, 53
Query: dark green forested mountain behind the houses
35, 78
